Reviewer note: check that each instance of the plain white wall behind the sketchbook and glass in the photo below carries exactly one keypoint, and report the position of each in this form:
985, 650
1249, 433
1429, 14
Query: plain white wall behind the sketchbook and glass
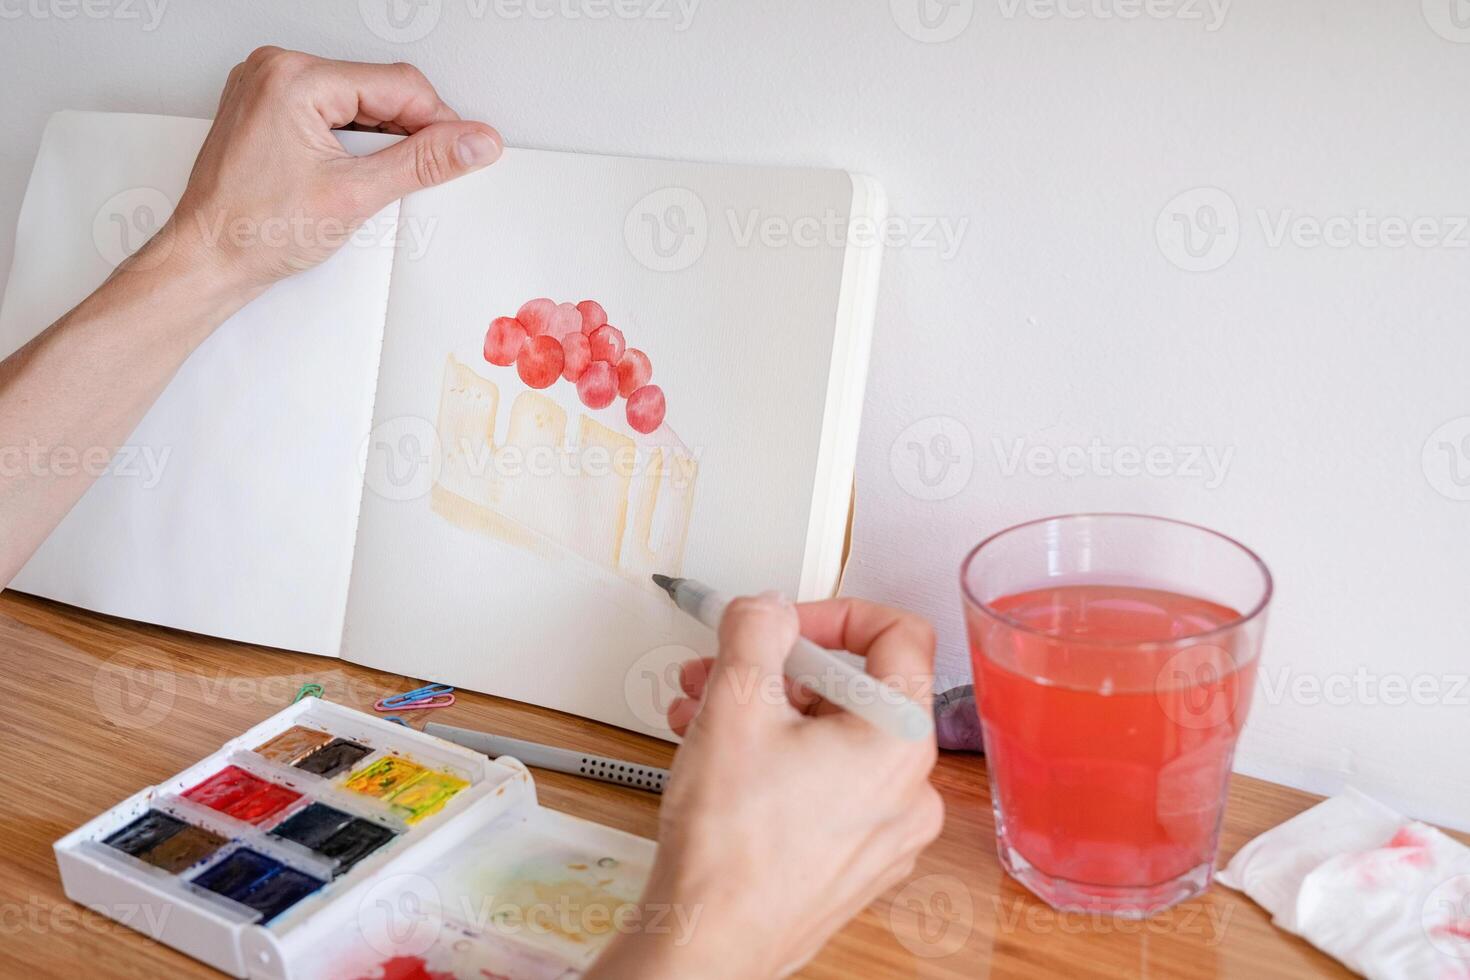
1049, 148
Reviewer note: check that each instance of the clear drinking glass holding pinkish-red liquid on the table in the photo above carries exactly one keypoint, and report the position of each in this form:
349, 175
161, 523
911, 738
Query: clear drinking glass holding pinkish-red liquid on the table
1115, 657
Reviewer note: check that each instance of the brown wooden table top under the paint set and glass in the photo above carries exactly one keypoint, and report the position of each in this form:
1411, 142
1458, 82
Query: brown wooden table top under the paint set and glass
101, 707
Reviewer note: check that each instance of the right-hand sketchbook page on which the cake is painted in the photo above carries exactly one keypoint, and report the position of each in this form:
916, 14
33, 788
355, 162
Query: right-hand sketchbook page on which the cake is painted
518, 578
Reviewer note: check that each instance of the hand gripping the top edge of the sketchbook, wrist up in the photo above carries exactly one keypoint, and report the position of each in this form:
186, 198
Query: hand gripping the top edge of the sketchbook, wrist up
273, 192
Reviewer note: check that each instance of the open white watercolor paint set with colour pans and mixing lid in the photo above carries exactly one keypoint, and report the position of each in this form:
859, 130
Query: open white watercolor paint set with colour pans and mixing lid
326, 843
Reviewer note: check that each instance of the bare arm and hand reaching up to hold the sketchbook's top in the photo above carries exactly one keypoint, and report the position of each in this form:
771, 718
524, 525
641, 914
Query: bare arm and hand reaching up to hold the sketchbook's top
76, 393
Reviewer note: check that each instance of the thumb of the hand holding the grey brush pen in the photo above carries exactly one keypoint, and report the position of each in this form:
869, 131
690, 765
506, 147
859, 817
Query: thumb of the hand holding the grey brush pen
746, 684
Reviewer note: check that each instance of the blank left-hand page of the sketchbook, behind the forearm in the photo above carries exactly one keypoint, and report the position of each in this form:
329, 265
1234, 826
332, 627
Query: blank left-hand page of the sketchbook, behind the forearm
233, 511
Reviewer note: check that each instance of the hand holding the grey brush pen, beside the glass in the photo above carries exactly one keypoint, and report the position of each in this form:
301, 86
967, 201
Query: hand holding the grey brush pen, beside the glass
784, 816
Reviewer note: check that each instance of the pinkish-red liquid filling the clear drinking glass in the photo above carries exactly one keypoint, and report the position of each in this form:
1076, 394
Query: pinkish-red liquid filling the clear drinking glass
1111, 725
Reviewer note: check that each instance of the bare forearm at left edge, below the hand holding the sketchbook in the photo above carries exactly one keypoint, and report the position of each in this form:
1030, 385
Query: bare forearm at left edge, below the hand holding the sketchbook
76, 393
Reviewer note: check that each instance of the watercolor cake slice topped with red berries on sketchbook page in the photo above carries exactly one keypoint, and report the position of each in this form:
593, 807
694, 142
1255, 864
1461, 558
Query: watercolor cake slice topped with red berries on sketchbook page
587, 462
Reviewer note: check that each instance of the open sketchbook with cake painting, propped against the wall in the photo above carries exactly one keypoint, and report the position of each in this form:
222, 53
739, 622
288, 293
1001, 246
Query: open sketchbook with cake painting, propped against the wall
352, 468
